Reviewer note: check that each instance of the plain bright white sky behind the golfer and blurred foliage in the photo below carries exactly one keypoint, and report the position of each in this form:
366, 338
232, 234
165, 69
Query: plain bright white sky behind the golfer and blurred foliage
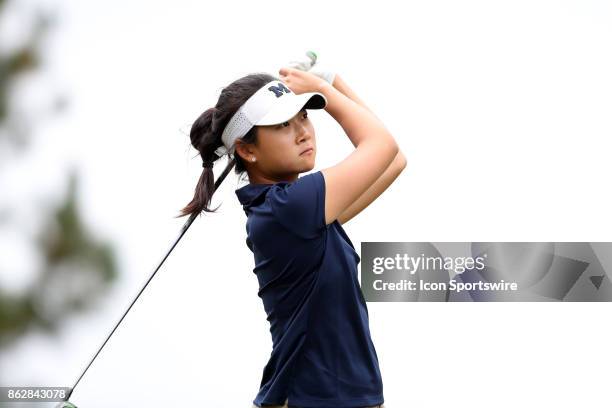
503, 110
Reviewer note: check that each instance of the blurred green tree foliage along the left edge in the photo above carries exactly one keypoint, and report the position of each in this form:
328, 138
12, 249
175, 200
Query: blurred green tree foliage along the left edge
75, 267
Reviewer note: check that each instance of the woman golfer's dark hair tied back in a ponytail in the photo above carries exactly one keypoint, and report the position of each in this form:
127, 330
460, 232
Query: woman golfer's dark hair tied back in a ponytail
206, 133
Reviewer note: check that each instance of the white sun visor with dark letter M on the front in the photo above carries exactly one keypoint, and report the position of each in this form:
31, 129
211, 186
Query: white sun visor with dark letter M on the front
273, 103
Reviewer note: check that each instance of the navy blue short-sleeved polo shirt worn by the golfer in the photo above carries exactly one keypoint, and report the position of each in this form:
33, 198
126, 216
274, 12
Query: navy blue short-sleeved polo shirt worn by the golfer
322, 353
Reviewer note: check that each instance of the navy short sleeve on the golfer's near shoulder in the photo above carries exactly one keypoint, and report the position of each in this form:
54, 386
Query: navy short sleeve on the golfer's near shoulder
300, 206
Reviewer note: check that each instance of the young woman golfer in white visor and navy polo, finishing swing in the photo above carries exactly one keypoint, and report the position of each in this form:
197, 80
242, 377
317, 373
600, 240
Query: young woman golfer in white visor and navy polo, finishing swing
305, 263
